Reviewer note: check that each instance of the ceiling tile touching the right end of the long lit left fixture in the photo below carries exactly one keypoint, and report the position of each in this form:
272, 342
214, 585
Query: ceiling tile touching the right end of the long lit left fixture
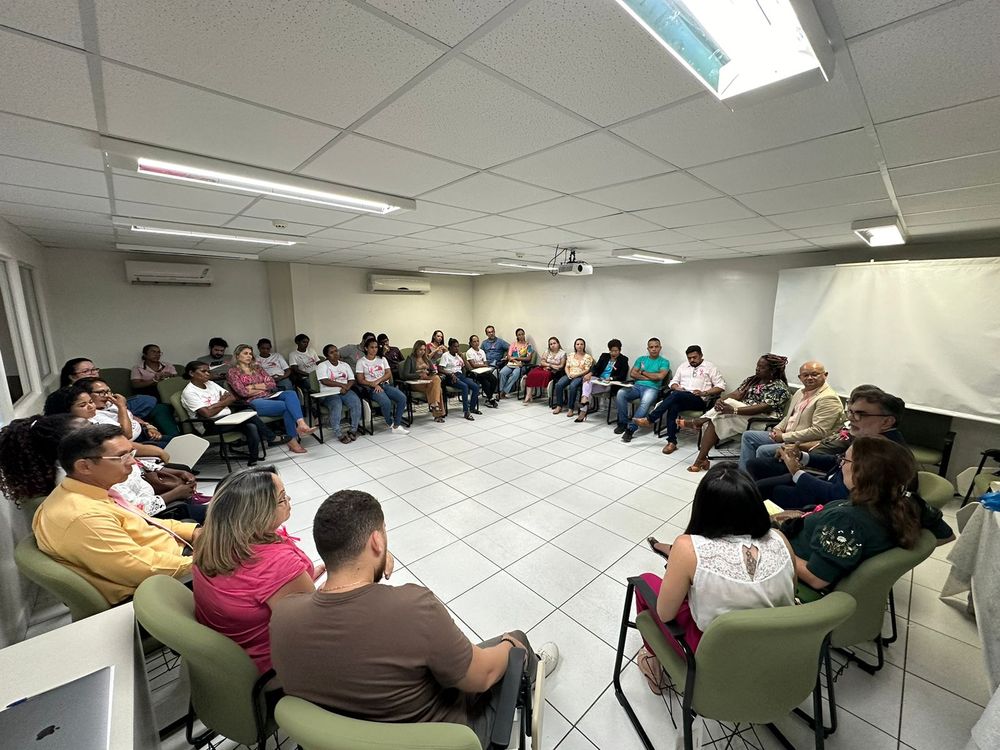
364, 163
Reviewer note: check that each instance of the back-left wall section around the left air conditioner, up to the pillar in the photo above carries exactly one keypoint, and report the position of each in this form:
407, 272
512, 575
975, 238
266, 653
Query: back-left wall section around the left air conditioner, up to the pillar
97, 313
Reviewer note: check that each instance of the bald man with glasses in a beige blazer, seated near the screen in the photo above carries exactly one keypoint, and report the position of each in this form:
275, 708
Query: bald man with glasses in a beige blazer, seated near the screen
813, 413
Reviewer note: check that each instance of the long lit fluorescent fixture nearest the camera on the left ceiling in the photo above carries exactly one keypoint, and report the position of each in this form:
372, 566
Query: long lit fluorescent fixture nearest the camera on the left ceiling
161, 163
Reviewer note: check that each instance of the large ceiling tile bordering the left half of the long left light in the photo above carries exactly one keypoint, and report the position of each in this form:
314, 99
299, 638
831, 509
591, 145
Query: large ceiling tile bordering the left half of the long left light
154, 110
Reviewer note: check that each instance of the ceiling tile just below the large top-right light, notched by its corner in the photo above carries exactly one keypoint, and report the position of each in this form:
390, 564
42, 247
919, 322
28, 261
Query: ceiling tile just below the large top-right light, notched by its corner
704, 130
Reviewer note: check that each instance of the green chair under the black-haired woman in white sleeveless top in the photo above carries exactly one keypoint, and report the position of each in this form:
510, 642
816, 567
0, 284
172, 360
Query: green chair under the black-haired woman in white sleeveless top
752, 666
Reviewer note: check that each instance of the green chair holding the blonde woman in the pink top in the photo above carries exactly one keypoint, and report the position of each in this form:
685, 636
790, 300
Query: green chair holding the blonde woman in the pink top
227, 689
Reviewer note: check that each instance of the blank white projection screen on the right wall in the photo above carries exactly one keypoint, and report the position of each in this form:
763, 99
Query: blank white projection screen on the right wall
928, 331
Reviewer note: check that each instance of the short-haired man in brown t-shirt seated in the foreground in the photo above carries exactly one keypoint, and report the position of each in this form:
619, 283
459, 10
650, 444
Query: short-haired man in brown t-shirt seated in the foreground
384, 653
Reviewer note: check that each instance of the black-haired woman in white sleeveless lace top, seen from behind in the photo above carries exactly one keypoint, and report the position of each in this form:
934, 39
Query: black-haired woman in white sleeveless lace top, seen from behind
729, 558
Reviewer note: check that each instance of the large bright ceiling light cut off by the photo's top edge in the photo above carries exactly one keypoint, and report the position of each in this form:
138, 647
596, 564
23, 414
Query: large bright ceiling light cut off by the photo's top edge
737, 46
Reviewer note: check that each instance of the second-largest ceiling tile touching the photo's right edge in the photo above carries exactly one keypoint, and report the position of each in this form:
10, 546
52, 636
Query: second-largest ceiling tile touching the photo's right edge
958, 131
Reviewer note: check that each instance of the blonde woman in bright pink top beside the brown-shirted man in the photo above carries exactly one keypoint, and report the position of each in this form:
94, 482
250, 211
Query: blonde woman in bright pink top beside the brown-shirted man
246, 562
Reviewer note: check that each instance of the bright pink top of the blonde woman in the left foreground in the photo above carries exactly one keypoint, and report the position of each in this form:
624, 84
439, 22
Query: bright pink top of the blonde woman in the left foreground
236, 604
